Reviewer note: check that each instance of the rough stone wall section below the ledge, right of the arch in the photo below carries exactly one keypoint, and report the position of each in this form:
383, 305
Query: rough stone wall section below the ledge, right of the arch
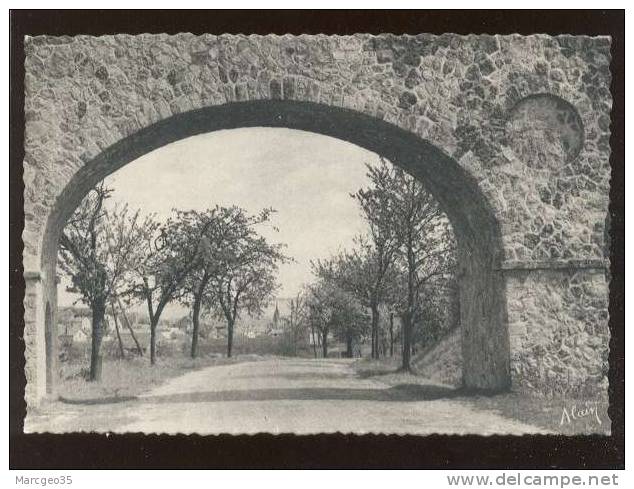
559, 331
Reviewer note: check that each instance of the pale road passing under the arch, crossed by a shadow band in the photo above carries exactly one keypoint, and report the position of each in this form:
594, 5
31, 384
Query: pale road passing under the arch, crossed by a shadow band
293, 395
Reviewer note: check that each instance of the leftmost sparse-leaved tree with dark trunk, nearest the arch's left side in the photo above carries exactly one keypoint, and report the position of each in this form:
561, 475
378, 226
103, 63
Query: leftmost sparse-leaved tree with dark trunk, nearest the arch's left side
99, 248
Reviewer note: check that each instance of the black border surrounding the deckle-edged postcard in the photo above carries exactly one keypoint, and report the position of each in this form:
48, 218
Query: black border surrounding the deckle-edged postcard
137, 451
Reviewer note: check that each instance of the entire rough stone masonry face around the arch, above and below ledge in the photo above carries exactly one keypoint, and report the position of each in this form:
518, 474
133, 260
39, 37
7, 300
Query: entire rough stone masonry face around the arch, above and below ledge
526, 119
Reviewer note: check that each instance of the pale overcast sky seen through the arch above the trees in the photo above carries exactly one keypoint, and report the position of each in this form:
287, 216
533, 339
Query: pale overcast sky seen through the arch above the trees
306, 177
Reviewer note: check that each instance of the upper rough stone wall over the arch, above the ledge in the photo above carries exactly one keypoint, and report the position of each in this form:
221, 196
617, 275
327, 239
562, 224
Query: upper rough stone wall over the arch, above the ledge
84, 94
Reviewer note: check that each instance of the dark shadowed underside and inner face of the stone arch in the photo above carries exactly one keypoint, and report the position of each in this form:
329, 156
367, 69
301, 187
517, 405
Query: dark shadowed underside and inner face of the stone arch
485, 337
